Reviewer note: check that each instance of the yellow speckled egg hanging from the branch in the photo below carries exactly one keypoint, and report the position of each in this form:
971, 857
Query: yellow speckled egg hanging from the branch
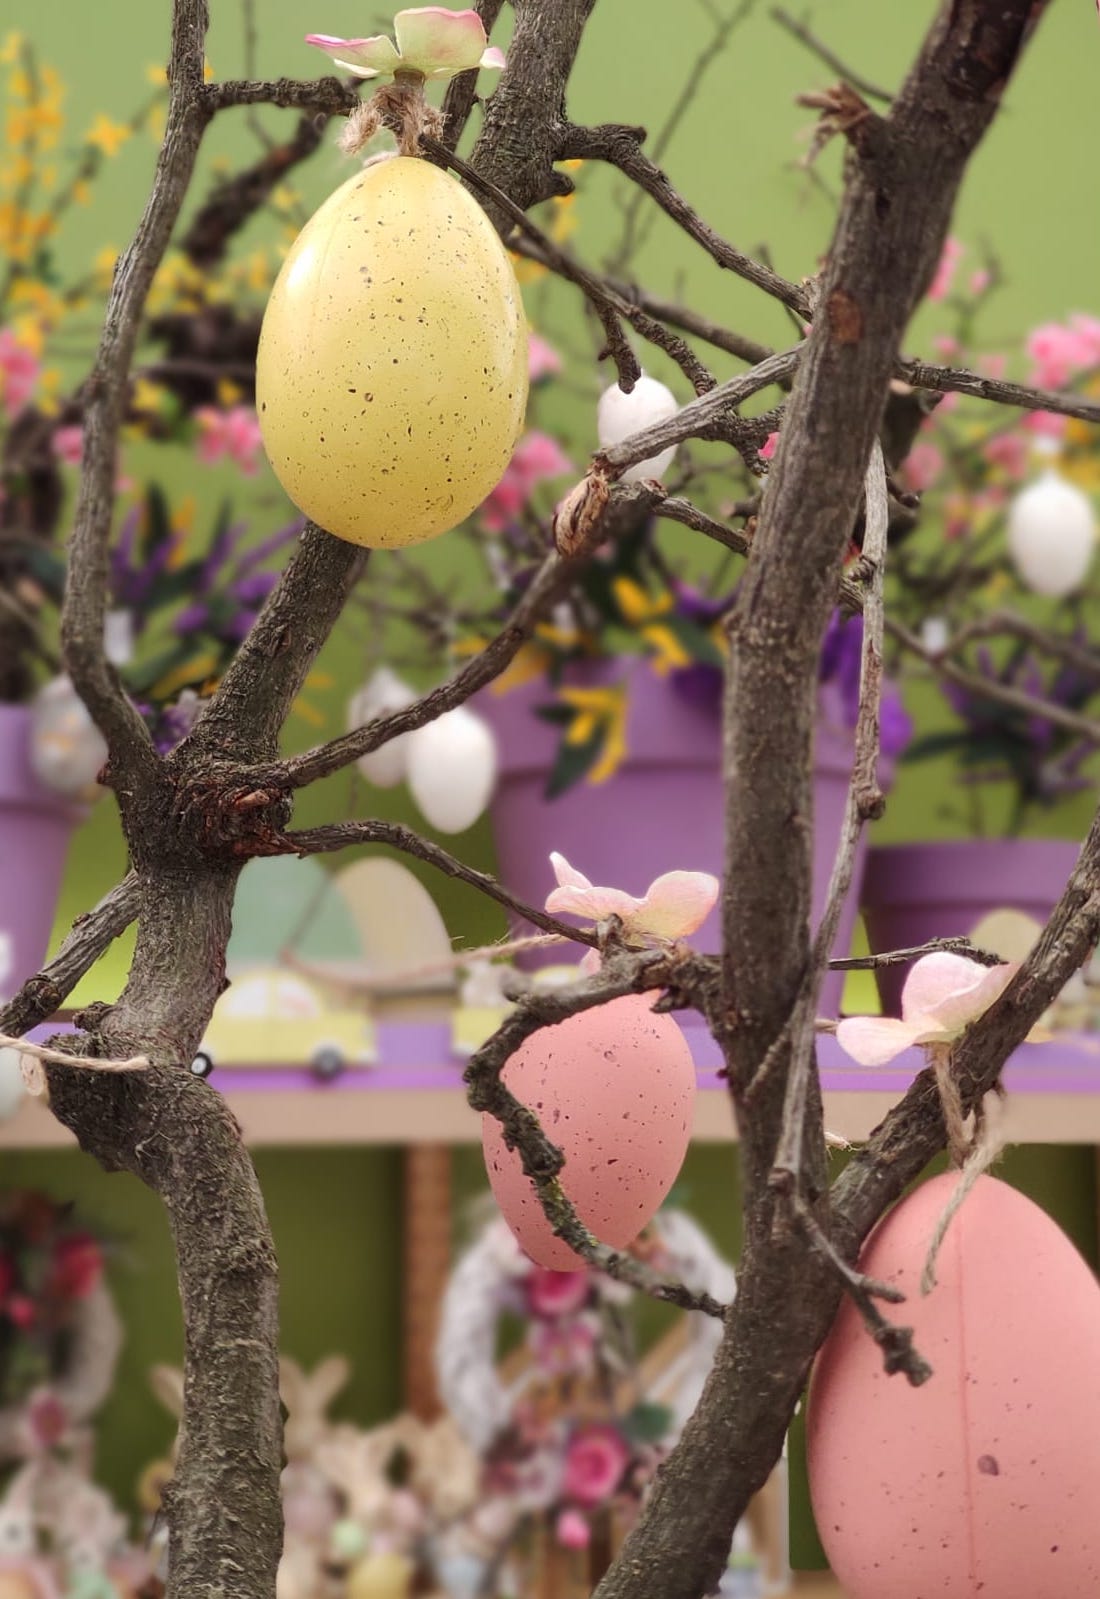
393, 369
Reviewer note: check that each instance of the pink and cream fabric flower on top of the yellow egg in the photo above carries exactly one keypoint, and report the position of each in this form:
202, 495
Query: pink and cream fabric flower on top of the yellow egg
429, 39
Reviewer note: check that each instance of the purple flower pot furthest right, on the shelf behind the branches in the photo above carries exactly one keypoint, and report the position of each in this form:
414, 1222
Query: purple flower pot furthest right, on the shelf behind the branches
914, 893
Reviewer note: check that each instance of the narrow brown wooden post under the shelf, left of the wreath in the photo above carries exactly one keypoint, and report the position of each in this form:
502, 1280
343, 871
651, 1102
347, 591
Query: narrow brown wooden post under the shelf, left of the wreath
428, 1264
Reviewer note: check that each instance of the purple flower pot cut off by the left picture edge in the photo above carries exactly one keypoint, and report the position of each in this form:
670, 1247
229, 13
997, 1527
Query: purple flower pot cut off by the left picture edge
36, 826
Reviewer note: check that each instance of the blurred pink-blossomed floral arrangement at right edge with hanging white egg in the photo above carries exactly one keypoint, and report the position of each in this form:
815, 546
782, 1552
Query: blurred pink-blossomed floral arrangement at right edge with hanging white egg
997, 575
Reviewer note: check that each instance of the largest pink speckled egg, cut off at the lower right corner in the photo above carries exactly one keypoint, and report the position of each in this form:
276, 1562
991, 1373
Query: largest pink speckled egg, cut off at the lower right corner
986, 1481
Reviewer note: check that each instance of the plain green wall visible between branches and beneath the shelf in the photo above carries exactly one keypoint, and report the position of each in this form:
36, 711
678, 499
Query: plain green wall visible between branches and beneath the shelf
1029, 196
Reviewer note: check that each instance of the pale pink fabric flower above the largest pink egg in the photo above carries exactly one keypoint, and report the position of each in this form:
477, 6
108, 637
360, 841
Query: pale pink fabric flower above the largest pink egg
943, 995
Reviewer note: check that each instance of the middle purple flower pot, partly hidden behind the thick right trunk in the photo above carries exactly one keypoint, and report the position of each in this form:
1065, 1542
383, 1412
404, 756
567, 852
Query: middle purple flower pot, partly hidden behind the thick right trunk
661, 811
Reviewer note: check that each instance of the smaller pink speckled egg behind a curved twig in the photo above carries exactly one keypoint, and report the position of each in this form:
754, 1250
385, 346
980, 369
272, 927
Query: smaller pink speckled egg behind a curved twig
615, 1090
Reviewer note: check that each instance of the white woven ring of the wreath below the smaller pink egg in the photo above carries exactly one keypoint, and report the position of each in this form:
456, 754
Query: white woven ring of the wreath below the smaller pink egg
484, 1285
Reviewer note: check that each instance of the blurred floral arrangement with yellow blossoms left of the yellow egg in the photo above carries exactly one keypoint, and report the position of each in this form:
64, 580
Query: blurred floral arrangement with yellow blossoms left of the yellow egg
183, 600
